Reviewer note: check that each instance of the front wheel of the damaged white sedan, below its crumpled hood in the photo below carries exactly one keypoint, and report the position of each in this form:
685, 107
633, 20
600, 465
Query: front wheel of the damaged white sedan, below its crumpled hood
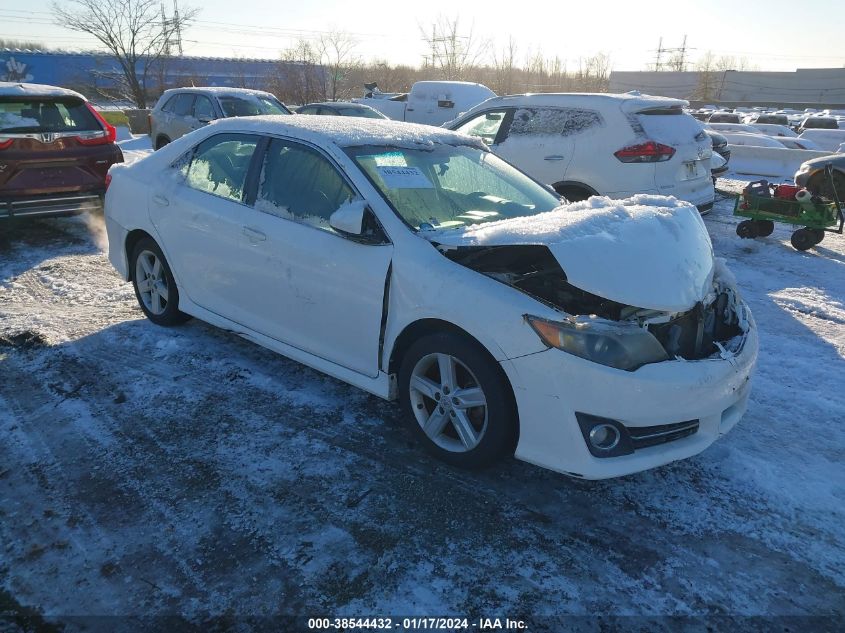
457, 401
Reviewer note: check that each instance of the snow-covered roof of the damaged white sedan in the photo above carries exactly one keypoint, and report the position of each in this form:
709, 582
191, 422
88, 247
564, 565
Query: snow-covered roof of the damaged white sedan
348, 131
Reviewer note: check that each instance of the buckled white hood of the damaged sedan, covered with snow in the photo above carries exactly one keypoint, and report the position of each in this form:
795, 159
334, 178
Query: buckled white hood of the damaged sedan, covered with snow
646, 251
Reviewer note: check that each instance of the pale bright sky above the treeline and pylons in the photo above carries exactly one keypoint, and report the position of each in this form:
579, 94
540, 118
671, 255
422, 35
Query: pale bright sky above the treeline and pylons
768, 33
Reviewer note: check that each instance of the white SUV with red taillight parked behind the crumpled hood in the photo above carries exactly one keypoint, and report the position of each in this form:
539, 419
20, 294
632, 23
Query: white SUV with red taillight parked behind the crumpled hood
608, 144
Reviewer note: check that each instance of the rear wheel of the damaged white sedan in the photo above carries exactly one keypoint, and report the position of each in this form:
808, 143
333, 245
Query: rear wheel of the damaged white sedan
155, 287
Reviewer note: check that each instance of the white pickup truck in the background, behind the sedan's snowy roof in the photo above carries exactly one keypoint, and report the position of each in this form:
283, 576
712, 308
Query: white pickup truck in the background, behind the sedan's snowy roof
429, 102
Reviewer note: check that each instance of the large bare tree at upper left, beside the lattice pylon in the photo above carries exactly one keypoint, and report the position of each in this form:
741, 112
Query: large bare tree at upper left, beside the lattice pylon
134, 31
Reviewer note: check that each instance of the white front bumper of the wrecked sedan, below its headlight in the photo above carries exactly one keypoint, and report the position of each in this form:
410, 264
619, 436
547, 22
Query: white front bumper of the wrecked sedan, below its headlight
549, 391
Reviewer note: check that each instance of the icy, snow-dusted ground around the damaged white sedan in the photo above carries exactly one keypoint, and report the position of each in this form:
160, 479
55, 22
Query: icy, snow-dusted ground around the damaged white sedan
150, 471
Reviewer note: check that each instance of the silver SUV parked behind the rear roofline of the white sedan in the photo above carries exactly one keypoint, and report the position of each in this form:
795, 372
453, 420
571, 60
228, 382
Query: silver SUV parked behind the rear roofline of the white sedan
183, 110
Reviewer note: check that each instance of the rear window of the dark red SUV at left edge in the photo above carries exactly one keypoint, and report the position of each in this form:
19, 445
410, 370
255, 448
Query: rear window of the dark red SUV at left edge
45, 115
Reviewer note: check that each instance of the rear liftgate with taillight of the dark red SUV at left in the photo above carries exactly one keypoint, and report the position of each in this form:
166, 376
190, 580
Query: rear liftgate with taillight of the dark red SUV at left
51, 145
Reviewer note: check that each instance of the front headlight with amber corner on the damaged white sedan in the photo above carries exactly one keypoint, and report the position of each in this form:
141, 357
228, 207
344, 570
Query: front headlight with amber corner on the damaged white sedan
623, 346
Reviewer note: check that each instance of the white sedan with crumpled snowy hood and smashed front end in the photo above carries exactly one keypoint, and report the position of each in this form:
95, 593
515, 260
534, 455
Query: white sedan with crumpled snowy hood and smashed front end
596, 339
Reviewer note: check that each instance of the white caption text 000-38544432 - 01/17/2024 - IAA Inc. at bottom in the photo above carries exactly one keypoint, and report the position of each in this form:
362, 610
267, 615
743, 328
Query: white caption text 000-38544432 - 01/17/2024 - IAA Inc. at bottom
416, 624
